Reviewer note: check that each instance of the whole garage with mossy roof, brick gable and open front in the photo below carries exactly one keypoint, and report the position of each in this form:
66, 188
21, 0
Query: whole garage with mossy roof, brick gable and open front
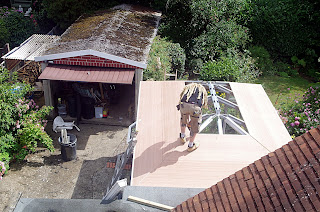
93, 71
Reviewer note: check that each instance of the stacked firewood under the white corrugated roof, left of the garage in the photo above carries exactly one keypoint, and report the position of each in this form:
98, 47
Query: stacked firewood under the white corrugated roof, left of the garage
30, 72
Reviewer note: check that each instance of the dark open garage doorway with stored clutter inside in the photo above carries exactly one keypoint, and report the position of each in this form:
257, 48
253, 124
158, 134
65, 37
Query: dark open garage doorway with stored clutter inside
100, 103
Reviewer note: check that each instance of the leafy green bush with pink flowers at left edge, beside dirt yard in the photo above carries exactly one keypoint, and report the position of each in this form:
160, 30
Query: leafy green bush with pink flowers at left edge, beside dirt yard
22, 122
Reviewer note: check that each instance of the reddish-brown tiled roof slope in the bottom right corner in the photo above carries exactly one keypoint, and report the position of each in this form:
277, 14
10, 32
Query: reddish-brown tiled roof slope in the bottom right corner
284, 180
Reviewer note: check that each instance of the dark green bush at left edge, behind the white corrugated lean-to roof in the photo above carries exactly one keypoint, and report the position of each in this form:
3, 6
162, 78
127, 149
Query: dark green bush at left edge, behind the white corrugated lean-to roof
17, 27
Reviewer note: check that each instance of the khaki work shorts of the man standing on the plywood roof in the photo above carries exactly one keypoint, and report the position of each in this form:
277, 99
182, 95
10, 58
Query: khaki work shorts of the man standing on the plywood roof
192, 114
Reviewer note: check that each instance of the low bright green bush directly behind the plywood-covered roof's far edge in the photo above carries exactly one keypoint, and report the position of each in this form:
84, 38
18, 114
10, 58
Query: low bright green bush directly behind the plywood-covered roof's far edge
235, 66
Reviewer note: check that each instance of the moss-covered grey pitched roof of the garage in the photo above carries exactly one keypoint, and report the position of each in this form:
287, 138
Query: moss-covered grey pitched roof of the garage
125, 31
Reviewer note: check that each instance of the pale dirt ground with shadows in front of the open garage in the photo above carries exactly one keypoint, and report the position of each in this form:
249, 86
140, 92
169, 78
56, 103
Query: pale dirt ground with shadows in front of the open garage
46, 175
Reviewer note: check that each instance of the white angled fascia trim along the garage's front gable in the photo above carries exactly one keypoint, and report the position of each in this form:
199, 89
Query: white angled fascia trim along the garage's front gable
91, 52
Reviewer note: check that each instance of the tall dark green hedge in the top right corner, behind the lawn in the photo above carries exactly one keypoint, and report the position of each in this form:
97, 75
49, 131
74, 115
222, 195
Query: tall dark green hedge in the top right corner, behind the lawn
285, 28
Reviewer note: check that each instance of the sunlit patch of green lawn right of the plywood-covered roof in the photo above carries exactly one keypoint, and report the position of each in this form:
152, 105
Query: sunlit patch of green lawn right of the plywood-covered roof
284, 89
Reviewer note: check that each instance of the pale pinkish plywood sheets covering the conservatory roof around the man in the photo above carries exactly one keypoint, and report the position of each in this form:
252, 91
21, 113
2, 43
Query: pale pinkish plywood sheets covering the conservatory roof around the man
160, 159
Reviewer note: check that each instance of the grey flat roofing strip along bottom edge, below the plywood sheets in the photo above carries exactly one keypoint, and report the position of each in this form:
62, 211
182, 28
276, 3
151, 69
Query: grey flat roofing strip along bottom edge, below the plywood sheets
166, 196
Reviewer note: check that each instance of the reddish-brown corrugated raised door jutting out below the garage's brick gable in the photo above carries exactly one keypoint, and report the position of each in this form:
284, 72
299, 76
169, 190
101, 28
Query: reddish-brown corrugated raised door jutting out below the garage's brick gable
88, 74
